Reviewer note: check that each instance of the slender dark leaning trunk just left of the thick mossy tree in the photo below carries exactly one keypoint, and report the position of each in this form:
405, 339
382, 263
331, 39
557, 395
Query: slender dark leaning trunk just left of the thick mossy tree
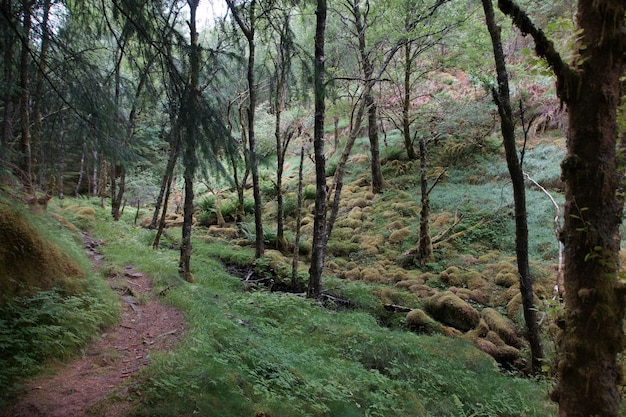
502, 98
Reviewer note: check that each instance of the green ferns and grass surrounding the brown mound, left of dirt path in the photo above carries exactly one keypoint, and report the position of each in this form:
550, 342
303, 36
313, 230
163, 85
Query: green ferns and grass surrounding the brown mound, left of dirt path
52, 320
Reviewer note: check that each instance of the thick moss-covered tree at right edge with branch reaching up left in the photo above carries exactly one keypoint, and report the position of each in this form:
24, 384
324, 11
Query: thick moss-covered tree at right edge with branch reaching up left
593, 171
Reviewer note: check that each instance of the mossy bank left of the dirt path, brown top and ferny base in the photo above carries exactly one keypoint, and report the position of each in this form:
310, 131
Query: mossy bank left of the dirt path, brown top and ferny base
52, 303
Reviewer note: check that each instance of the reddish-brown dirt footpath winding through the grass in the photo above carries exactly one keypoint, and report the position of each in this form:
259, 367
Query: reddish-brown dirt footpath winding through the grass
108, 364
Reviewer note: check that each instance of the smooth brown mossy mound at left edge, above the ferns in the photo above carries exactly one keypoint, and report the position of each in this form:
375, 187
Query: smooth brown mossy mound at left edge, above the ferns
28, 261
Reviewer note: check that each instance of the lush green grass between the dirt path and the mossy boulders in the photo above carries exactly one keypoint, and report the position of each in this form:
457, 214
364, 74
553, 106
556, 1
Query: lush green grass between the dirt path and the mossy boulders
247, 352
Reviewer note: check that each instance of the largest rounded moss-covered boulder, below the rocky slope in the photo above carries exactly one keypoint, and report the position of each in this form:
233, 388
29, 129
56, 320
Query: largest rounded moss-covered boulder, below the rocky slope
452, 310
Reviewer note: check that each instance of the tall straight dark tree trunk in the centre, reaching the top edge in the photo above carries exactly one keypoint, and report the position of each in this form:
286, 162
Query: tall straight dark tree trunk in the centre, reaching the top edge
319, 223
